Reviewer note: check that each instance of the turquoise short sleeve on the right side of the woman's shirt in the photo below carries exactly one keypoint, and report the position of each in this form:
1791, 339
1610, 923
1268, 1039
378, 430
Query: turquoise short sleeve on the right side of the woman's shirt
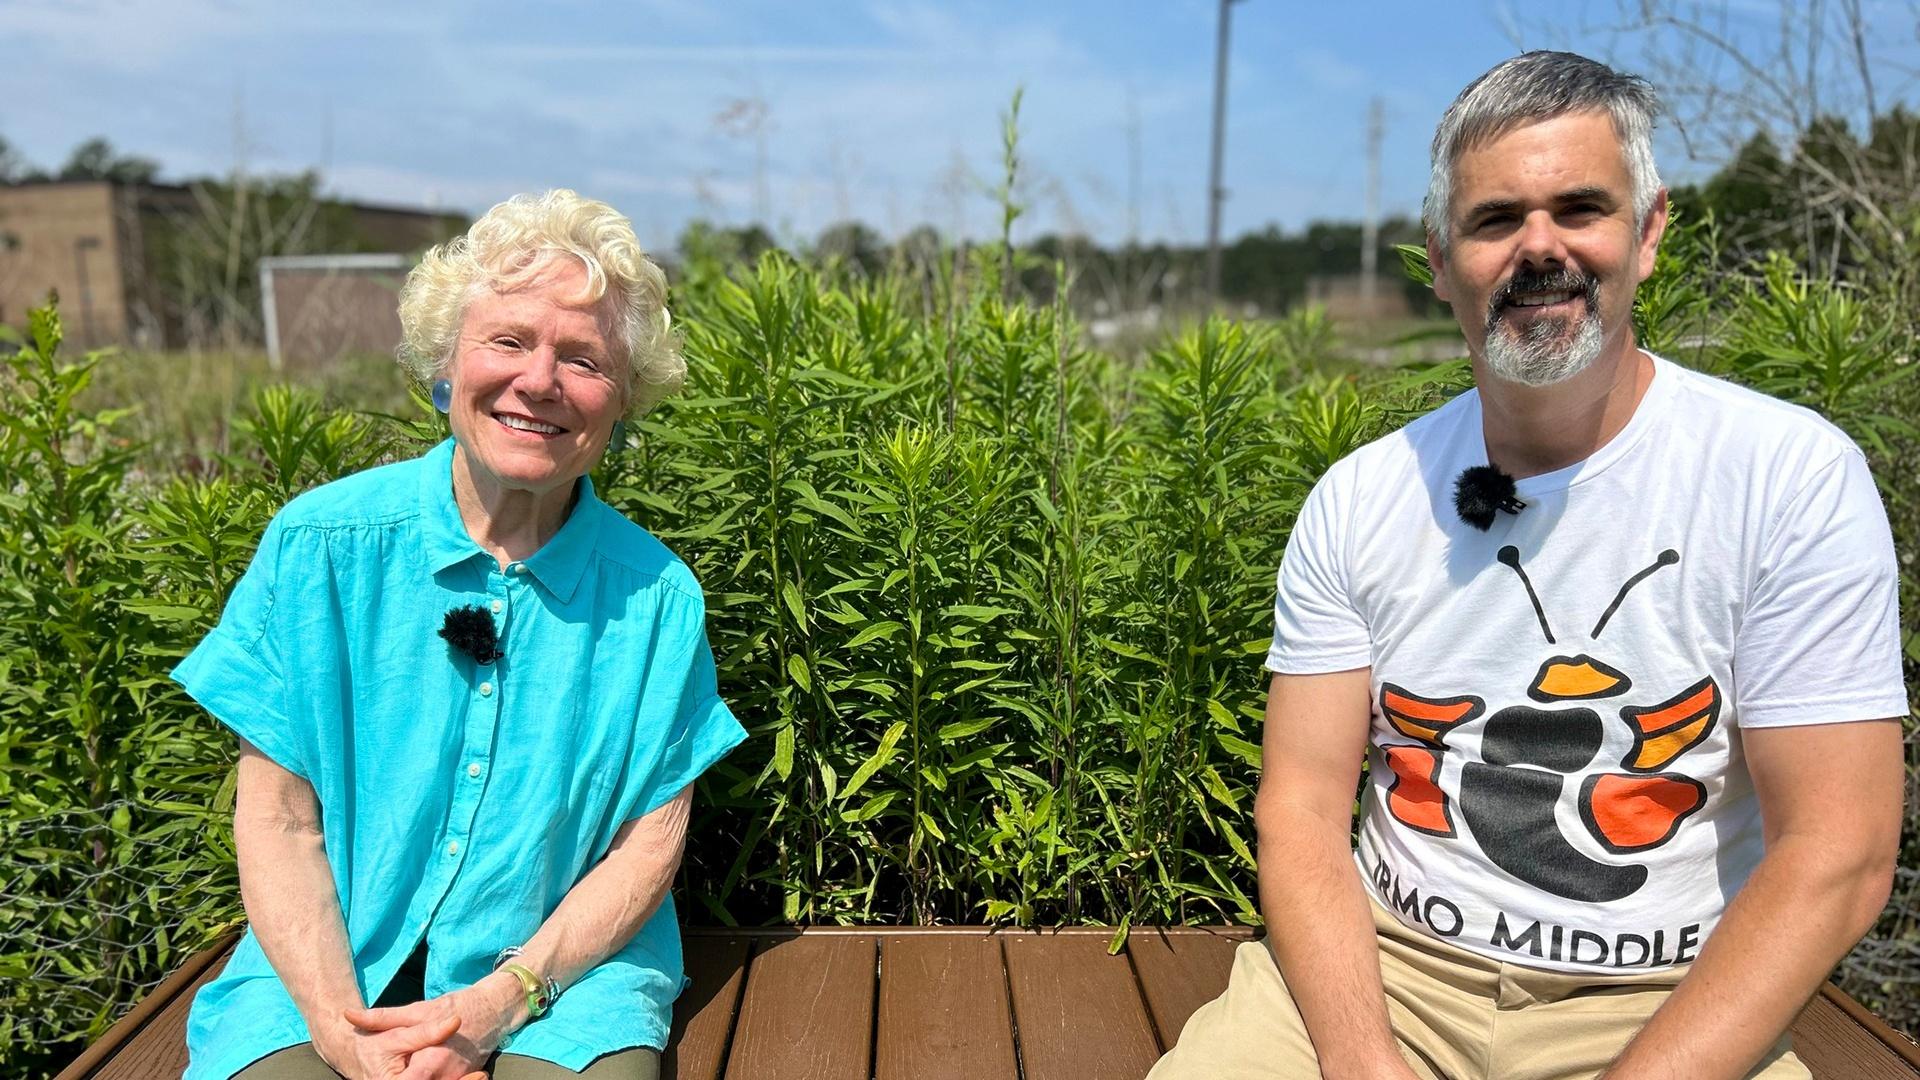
684, 727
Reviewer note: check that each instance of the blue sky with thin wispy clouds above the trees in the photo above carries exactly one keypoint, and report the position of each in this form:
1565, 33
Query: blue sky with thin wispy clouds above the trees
876, 110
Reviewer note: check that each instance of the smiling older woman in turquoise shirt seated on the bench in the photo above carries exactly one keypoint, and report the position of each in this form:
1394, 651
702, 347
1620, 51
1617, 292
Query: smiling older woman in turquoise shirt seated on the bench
471, 702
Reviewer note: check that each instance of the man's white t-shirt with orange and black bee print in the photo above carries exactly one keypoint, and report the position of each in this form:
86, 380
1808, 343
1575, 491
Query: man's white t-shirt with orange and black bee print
1560, 783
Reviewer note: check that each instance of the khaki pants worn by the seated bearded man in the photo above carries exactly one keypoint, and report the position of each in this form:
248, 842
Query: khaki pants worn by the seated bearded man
1456, 1016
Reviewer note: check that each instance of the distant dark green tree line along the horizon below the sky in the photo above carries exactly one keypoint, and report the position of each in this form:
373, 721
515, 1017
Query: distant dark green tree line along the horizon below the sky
1838, 203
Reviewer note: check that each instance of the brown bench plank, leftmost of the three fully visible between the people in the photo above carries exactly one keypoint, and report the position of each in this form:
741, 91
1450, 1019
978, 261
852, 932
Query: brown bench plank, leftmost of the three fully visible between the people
807, 1012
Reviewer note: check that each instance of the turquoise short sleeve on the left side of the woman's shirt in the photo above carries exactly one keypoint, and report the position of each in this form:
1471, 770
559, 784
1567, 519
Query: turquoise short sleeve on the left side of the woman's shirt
235, 672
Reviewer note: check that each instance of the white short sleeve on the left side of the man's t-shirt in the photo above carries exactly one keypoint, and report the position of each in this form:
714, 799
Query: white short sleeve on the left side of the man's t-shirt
1316, 626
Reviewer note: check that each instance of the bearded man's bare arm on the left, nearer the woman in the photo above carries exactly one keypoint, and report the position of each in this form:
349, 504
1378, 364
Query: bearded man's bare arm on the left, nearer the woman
1320, 925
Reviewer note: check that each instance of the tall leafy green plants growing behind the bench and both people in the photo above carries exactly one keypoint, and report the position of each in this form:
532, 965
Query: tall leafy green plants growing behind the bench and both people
992, 604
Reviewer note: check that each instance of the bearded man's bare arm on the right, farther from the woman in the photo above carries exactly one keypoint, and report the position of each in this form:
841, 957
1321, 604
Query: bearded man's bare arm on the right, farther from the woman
1831, 802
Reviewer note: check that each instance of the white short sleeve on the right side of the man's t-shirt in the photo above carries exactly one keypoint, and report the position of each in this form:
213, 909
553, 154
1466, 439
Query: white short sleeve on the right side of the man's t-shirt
1819, 641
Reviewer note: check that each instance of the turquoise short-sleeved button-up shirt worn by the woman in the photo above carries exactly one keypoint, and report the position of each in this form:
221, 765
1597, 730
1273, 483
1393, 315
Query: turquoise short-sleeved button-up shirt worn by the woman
460, 802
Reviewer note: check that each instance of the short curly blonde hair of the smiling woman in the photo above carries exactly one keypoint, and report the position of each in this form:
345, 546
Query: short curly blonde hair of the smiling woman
512, 247
